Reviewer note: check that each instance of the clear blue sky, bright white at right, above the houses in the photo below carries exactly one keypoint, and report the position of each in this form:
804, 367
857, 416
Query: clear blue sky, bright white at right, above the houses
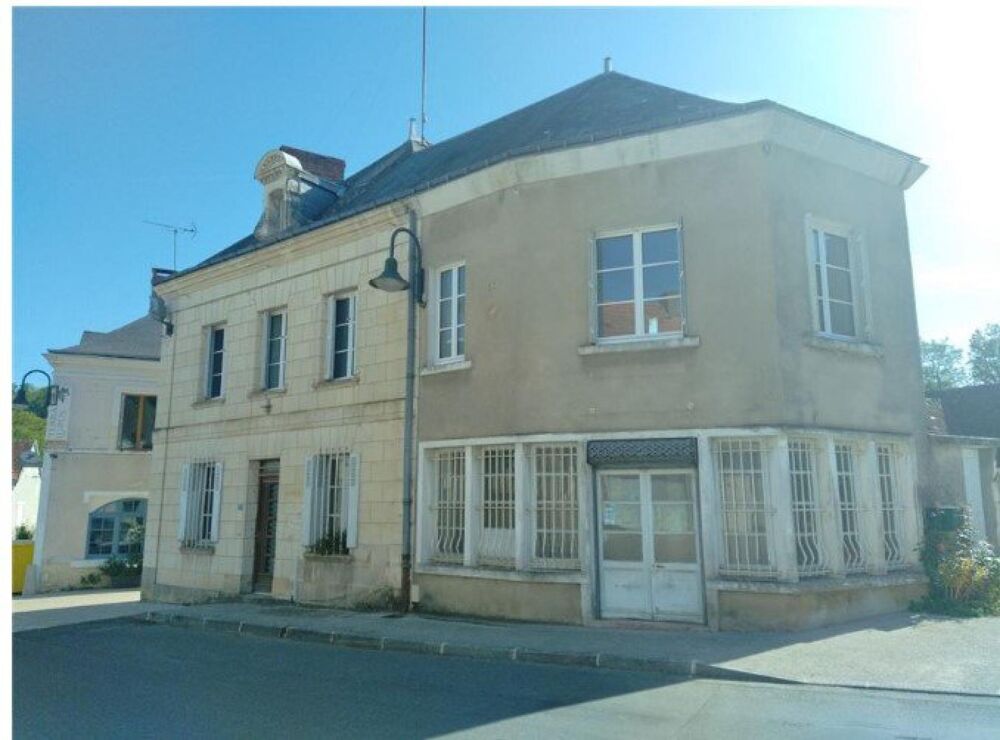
122, 115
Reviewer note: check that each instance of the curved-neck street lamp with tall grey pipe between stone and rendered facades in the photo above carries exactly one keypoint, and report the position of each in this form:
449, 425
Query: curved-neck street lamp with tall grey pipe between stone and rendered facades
391, 281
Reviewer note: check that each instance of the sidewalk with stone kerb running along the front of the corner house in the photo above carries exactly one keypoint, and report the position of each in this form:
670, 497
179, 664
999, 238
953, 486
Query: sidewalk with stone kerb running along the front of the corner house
898, 651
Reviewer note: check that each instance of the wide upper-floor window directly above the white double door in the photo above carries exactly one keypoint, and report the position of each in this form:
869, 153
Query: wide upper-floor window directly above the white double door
639, 285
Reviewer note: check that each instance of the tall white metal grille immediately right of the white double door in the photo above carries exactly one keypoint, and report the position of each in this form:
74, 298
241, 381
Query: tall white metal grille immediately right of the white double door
742, 482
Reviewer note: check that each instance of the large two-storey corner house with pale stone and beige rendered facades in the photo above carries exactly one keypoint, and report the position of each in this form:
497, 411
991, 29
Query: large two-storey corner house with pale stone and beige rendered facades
668, 370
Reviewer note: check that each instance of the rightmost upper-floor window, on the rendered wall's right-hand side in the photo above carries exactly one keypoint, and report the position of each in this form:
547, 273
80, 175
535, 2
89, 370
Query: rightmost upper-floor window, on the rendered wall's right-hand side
833, 281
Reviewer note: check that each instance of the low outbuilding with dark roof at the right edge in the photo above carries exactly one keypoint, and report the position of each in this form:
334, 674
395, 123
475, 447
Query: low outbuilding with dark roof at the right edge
964, 461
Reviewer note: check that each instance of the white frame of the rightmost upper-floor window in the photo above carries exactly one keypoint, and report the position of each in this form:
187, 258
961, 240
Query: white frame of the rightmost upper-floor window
857, 270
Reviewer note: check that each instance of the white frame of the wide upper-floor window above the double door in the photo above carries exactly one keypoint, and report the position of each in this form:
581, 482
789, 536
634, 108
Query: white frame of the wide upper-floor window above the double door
638, 298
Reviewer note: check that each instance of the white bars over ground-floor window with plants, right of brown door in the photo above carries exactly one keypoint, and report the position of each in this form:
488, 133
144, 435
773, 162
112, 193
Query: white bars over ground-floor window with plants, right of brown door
330, 482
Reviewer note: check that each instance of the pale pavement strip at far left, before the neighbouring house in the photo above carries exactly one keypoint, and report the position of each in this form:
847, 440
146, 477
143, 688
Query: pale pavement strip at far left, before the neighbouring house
54, 610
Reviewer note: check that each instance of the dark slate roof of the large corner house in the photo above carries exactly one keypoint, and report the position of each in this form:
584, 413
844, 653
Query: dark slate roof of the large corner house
608, 106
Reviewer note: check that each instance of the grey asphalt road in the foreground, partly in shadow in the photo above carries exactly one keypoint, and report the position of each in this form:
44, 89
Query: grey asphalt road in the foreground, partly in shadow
122, 679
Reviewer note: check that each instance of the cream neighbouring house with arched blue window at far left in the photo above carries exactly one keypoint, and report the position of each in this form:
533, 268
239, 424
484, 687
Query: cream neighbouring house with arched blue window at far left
98, 441
